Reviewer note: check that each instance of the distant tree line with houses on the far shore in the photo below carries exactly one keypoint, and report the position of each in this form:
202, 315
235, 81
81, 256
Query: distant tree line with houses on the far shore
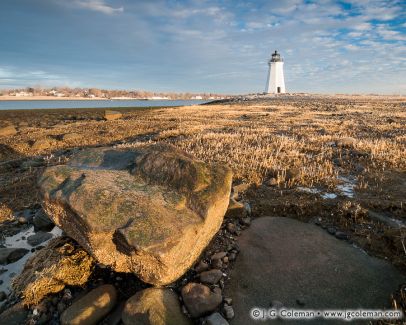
104, 93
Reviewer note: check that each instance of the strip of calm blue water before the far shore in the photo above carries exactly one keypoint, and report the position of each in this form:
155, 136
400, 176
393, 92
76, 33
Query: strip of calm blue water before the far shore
37, 104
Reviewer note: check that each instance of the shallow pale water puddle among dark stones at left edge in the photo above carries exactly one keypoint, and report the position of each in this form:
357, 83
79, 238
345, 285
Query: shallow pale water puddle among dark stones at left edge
20, 241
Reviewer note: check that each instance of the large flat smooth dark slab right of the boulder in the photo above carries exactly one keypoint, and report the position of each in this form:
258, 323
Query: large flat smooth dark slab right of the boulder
309, 263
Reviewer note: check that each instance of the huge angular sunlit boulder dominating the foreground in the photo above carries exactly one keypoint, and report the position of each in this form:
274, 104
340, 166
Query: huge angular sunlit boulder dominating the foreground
149, 210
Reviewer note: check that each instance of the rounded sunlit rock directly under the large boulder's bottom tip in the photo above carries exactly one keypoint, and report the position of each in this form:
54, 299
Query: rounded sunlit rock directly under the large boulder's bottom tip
154, 306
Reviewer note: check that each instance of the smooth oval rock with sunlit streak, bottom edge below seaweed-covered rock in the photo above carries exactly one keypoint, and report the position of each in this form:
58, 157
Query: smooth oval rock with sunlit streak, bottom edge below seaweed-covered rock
91, 308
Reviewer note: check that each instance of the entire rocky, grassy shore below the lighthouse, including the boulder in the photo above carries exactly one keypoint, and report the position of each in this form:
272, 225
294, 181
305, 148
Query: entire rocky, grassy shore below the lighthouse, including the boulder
120, 218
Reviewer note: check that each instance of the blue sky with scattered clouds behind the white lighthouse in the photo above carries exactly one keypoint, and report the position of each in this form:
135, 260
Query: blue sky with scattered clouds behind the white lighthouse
222, 46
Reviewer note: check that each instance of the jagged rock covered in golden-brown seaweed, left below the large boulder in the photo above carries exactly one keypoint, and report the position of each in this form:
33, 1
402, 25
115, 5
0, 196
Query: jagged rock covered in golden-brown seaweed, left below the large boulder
58, 264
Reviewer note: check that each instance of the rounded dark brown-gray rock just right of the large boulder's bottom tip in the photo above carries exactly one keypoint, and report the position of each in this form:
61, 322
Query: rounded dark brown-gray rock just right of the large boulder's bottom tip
199, 299
